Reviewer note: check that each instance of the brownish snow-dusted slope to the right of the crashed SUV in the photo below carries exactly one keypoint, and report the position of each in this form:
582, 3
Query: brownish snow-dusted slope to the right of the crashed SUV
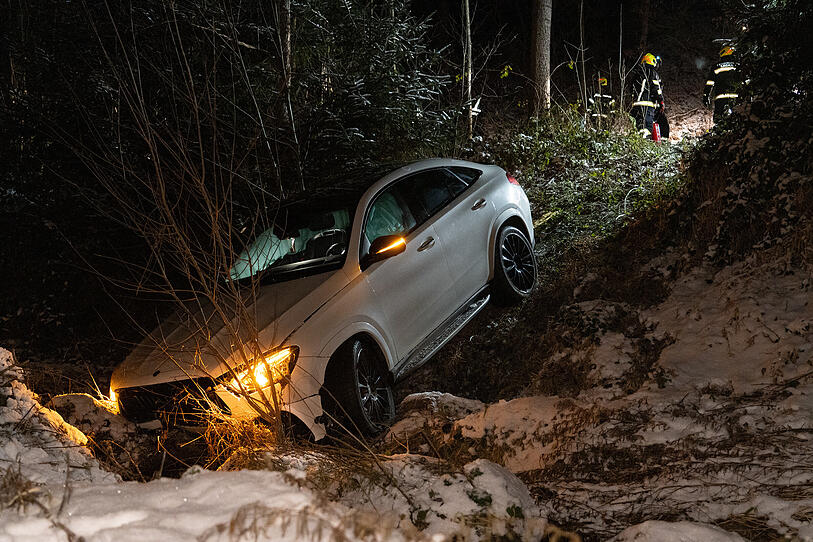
702, 410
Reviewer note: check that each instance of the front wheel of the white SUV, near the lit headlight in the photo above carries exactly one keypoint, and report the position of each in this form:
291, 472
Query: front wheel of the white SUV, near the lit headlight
360, 398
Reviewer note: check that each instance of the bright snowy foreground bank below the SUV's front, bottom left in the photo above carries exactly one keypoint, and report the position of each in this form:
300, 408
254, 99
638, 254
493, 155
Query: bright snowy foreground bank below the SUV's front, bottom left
52, 489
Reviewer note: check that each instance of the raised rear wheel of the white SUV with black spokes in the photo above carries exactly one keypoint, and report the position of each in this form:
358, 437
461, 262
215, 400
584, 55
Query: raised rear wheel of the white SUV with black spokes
514, 267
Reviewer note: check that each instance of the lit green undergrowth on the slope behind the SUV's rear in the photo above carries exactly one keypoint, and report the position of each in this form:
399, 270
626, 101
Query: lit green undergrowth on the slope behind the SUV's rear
584, 184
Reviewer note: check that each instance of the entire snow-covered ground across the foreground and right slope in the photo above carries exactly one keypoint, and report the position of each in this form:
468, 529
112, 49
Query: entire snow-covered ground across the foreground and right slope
699, 413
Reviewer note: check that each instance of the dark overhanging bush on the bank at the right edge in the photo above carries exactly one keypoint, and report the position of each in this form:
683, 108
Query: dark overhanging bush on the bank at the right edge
754, 171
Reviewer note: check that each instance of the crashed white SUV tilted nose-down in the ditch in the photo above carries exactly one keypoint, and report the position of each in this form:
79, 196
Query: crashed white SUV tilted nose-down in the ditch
357, 288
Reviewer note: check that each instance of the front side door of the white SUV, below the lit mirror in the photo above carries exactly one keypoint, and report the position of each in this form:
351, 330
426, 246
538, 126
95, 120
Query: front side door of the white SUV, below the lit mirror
412, 289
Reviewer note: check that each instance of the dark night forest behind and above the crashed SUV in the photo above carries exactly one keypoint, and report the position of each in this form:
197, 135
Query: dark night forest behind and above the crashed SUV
101, 101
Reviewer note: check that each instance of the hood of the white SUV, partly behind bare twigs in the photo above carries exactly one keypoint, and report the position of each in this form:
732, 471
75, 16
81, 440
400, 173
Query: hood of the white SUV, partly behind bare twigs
198, 341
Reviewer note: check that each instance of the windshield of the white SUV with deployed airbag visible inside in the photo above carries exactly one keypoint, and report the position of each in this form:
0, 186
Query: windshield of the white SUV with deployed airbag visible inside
306, 238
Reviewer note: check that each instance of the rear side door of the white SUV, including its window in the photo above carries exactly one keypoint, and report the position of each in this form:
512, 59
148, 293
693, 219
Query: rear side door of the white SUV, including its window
461, 216
